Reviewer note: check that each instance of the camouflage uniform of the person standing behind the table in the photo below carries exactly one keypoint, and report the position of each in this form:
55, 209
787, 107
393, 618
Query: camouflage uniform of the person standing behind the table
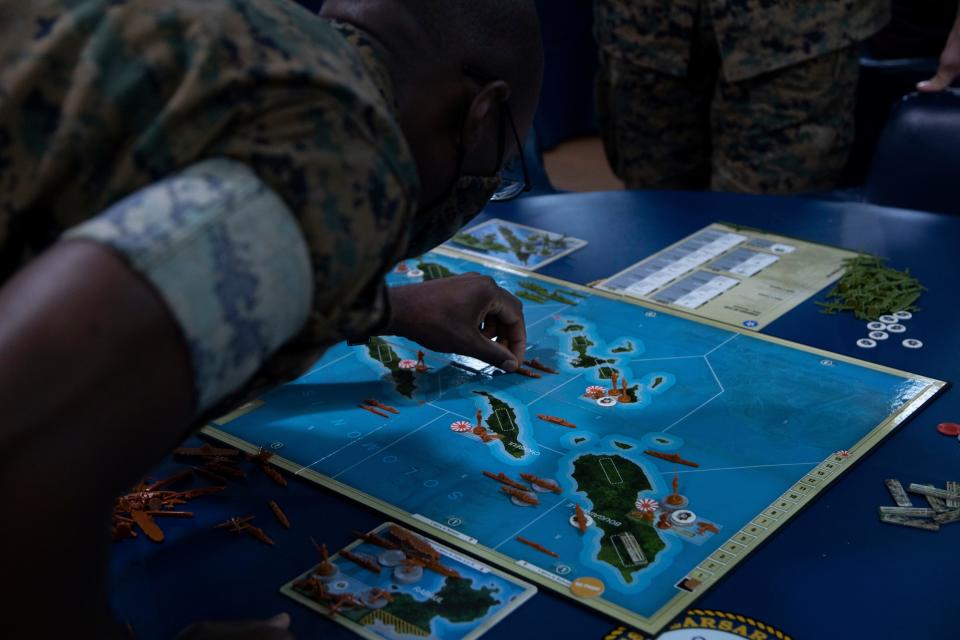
734, 95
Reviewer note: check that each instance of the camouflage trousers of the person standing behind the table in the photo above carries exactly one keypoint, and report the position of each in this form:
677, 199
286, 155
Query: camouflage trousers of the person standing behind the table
782, 132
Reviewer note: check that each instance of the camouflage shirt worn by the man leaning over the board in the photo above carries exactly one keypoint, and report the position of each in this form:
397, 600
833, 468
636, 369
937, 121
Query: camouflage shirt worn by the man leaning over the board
101, 99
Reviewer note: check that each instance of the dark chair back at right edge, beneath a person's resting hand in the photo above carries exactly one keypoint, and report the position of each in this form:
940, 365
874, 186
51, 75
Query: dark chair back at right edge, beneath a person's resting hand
916, 163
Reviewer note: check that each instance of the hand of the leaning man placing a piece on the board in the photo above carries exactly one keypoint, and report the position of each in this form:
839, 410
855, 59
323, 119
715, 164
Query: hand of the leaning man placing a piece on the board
446, 314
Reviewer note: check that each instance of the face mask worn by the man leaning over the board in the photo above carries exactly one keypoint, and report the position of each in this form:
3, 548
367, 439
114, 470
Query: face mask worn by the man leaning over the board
434, 226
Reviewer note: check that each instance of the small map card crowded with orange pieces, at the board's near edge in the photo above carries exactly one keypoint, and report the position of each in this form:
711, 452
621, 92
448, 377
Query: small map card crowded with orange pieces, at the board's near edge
395, 584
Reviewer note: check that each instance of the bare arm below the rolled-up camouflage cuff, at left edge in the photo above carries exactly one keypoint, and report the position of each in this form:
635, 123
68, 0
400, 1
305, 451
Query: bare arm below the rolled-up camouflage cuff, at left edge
95, 385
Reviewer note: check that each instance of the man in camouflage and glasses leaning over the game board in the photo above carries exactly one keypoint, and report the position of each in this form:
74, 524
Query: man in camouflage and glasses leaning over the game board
197, 199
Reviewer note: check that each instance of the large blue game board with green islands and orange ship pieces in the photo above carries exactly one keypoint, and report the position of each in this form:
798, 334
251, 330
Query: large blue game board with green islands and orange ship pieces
643, 456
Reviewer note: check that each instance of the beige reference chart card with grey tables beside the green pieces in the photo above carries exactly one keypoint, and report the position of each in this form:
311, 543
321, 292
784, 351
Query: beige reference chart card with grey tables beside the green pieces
737, 276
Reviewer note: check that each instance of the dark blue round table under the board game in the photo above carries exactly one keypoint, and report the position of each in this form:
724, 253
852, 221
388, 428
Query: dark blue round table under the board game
834, 571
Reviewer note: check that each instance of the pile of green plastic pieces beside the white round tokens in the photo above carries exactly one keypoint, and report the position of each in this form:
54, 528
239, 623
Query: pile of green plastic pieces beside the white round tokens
870, 290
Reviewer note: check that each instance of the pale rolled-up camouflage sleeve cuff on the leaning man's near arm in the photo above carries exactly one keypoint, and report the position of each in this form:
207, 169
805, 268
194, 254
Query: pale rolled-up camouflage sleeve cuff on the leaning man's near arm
227, 257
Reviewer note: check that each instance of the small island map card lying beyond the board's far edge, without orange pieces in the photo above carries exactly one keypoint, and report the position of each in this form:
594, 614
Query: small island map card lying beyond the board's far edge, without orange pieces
514, 244
